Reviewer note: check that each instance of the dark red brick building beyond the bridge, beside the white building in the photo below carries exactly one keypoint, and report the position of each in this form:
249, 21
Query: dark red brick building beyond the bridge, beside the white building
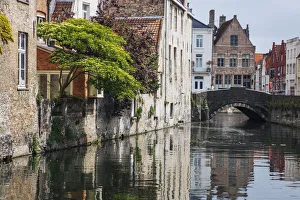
275, 66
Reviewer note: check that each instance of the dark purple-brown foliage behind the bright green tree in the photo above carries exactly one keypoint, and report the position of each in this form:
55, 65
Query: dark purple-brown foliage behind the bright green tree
140, 45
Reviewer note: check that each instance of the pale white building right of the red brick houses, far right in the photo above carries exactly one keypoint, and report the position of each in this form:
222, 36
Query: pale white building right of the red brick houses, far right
292, 52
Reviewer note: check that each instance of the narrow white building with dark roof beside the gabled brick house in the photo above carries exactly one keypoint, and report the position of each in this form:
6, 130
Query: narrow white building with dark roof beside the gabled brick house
201, 56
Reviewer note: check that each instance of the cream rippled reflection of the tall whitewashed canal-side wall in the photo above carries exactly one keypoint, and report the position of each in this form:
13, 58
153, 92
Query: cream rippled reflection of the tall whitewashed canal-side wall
164, 160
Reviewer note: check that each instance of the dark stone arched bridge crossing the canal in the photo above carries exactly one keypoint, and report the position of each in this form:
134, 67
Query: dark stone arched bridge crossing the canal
254, 104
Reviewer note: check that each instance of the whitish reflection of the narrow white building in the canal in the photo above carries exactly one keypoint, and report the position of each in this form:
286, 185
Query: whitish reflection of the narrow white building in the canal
200, 172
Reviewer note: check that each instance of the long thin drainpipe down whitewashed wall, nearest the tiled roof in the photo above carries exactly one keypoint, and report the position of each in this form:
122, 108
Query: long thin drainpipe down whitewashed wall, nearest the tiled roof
165, 56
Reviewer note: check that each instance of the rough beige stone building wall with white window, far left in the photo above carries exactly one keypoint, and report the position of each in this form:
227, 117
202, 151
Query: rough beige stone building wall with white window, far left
18, 88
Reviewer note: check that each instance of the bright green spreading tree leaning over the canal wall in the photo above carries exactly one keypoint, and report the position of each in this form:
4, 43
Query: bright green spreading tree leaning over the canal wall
91, 48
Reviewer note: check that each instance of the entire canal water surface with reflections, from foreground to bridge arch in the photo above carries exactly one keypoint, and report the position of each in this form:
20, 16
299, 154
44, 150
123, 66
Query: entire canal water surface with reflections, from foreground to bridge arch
229, 157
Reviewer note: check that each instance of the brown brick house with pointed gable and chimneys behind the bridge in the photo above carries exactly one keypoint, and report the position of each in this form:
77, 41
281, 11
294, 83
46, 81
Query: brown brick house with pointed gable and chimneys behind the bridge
233, 54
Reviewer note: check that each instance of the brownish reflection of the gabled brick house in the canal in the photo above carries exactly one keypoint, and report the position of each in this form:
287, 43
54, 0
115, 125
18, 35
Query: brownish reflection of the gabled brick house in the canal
230, 172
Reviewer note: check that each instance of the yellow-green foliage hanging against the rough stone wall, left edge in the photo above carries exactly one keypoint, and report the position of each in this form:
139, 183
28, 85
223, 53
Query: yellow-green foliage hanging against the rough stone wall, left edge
5, 31
